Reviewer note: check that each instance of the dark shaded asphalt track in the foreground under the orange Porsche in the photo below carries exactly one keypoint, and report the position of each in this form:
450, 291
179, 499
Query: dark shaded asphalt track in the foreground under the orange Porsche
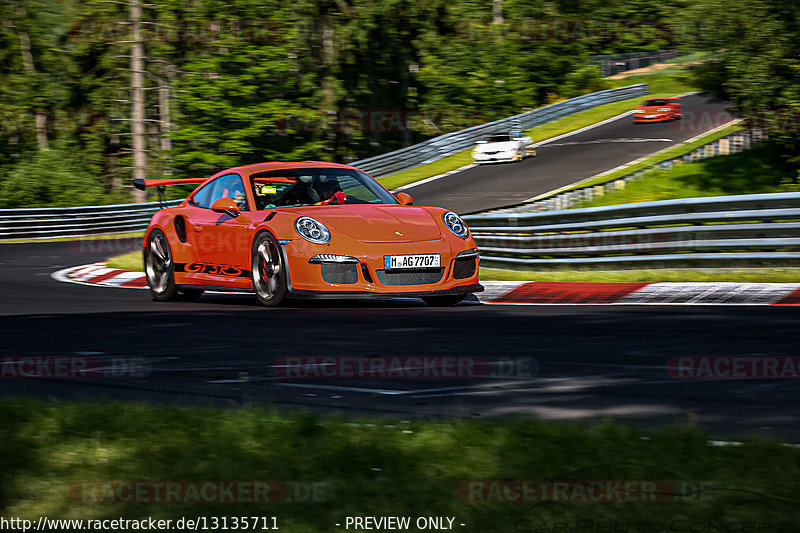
581, 362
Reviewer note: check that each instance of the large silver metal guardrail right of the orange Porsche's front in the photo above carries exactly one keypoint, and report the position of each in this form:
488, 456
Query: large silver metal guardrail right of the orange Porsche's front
752, 229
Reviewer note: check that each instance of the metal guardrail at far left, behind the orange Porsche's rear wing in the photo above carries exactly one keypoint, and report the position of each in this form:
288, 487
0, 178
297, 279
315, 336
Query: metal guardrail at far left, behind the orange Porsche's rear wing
43, 223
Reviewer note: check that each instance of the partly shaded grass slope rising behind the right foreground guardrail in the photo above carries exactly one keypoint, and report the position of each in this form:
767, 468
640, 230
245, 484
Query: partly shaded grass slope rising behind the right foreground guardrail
757, 170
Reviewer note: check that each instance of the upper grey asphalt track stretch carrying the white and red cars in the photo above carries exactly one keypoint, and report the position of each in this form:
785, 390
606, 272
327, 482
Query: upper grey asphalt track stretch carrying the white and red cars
567, 160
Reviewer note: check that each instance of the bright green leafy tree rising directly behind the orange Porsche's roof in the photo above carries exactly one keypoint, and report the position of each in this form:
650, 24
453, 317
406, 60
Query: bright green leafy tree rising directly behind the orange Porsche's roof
237, 93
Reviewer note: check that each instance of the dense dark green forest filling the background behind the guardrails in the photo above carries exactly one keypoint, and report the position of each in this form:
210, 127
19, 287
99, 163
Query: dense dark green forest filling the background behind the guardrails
251, 80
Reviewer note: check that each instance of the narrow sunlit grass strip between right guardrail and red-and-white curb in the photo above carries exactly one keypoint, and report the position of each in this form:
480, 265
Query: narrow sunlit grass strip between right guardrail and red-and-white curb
741, 275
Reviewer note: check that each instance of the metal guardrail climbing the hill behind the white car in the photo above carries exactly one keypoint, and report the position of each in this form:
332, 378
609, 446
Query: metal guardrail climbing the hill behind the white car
451, 143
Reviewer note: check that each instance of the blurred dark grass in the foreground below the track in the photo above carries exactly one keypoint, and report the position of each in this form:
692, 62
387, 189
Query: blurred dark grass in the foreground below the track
378, 467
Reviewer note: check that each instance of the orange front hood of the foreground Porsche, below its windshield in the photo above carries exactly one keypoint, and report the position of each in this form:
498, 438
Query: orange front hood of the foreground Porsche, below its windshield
377, 223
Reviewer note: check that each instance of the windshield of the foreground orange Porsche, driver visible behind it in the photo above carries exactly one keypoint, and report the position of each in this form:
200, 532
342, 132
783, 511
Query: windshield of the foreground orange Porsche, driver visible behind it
316, 186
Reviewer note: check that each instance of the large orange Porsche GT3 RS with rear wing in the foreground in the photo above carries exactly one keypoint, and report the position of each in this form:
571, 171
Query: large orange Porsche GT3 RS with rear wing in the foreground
309, 229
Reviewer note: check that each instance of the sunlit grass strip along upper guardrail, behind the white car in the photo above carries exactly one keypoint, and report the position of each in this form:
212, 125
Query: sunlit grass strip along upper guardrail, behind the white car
661, 85
